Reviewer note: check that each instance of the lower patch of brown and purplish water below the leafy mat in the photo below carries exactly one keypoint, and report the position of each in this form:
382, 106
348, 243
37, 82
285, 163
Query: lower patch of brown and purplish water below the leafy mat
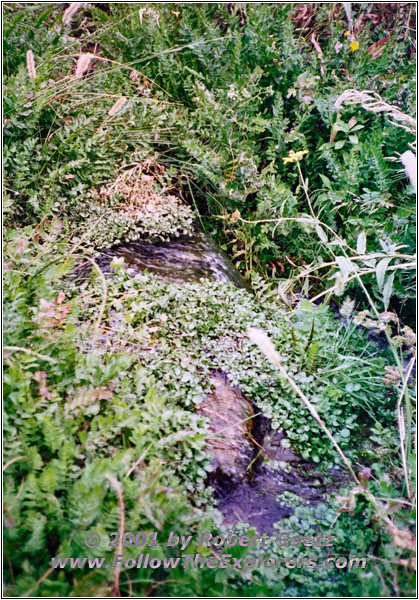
252, 466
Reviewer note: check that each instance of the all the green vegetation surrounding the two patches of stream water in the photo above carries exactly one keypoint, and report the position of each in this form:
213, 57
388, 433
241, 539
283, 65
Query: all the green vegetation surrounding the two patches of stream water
134, 120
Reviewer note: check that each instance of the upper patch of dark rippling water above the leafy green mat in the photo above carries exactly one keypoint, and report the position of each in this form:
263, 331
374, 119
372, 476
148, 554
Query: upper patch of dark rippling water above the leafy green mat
187, 258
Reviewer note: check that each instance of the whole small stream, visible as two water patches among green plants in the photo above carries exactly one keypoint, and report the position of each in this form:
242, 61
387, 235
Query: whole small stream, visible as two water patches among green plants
250, 466
